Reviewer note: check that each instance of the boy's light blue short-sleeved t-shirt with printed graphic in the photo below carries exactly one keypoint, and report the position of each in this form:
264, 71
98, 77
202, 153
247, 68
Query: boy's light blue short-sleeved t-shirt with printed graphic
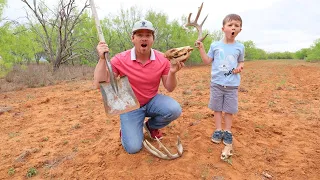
225, 59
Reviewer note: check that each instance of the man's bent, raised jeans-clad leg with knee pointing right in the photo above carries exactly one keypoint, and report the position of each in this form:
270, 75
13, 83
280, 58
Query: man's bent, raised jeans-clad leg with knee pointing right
162, 110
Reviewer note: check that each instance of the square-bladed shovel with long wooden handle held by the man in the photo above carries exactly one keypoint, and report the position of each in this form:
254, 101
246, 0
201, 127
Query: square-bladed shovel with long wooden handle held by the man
118, 96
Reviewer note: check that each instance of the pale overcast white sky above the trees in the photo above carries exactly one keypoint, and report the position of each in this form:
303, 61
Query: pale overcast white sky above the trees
273, 25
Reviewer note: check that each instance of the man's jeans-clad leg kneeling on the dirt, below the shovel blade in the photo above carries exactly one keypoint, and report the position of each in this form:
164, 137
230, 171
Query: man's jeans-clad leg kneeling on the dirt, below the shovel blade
132, 130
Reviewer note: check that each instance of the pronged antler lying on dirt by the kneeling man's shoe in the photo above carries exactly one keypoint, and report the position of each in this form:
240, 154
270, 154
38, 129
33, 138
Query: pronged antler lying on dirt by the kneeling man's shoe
167, 154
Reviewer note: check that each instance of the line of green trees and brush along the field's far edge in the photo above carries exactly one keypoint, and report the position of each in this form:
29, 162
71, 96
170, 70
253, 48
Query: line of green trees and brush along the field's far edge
66, 35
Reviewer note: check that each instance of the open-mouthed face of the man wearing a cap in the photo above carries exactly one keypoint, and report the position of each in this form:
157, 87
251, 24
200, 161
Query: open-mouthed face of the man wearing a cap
143, 40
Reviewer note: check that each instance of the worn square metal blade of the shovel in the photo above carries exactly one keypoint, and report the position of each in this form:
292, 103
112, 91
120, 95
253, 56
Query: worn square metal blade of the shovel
121, 102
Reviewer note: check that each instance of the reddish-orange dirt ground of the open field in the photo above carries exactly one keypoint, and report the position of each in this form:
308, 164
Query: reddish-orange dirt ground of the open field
62, 131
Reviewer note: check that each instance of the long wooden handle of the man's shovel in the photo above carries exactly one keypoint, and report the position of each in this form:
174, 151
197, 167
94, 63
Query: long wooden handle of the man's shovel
101, 38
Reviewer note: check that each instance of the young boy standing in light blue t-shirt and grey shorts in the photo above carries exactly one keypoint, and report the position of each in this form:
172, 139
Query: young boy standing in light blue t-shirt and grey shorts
227, 58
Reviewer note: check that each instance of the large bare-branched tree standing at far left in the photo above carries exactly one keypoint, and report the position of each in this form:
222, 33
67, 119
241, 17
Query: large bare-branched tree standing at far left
56, 33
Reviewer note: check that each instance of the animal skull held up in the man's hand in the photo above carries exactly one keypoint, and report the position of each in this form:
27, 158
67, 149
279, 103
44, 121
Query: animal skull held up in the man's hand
180, 54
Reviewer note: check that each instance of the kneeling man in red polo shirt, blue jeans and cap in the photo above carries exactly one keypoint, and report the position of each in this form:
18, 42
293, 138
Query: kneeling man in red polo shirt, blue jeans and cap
144, 67
